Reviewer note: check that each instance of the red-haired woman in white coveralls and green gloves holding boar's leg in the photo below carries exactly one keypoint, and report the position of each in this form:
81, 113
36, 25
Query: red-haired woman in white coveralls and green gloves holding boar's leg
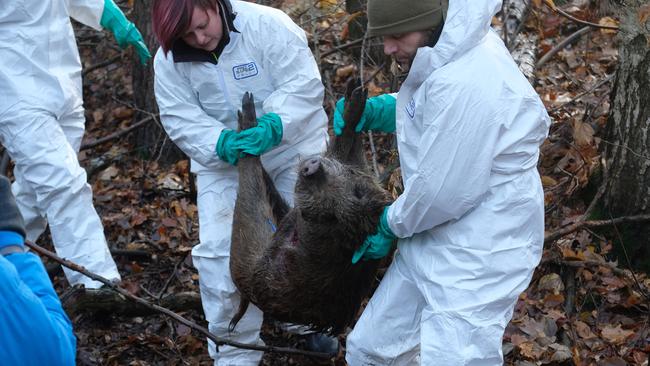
212, 52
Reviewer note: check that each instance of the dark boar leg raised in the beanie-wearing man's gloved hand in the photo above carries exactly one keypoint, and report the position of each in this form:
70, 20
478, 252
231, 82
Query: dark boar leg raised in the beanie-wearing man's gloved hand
348, 147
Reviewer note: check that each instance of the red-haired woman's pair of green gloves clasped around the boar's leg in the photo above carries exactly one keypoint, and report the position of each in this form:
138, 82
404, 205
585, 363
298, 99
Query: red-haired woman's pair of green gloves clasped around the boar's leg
253, 141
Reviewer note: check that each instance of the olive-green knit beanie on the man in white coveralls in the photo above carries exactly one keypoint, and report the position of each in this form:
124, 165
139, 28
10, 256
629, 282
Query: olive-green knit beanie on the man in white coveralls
390, 17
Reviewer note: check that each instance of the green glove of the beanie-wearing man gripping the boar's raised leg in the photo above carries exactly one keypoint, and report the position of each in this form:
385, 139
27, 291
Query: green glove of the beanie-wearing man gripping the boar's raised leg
378, 115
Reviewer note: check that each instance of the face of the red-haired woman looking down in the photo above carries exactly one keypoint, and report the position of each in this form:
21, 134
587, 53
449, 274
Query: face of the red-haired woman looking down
206, 29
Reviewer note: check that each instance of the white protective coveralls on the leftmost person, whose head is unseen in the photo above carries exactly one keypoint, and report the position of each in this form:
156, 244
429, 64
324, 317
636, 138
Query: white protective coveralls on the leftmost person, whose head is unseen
42, 124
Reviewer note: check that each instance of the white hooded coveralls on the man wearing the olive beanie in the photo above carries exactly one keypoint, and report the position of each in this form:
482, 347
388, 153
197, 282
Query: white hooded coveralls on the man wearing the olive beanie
471, 217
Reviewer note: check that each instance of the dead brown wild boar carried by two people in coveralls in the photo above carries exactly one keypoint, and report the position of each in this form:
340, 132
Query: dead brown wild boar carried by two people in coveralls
295, 263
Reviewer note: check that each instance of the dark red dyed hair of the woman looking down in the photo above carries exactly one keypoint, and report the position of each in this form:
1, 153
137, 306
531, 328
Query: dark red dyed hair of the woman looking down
171, 18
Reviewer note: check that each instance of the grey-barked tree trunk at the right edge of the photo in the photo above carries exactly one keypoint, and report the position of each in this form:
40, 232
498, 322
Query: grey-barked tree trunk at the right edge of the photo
627, 139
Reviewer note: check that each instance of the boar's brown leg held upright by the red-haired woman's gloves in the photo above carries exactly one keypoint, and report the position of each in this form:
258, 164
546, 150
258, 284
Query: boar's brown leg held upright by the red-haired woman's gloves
253, 219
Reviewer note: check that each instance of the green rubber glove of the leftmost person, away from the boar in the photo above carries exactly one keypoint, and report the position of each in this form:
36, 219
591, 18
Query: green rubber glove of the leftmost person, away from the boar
124, 31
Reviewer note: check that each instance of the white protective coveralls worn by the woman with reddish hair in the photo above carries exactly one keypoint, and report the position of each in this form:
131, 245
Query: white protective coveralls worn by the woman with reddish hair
269, 57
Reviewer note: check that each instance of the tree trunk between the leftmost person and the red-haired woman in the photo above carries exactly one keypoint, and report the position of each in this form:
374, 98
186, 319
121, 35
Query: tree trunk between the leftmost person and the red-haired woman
151, 140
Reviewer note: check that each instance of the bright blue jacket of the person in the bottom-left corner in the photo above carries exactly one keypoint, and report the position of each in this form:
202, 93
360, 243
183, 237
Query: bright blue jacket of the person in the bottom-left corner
35, 330
